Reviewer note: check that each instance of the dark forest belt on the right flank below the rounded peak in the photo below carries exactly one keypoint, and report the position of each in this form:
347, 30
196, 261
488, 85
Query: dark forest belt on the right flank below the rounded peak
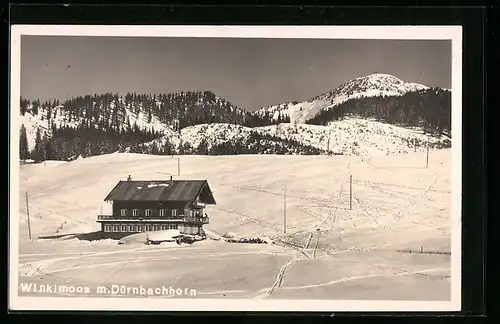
429, 109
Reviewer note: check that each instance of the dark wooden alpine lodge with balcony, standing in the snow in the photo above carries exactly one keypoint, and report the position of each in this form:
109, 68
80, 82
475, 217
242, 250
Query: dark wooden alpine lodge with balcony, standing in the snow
142, 206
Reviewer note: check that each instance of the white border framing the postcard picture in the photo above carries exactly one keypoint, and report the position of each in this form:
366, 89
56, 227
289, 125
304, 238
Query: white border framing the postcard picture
453, 33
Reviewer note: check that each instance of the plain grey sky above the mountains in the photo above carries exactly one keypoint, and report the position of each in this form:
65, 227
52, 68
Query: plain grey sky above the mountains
250, 73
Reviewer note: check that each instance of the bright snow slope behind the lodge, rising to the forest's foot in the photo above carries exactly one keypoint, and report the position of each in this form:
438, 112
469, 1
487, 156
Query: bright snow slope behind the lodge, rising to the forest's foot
396, 200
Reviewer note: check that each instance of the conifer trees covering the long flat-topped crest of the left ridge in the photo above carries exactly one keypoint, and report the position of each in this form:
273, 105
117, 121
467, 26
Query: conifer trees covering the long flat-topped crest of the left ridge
178, 110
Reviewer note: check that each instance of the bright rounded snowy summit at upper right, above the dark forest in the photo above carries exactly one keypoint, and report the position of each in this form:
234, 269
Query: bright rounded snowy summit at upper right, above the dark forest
377, 84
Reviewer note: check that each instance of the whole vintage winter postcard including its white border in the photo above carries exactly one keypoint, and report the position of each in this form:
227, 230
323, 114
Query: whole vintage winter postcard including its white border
235, 168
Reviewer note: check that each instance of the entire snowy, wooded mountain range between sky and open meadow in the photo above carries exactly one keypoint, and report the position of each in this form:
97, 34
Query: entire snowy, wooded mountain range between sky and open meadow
106, 123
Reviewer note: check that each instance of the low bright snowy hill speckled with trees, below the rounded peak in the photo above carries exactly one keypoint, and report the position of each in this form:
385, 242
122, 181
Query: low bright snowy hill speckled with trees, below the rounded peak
352, 136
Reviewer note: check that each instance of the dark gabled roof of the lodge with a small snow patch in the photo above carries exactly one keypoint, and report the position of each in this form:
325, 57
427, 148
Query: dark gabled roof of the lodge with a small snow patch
164, 190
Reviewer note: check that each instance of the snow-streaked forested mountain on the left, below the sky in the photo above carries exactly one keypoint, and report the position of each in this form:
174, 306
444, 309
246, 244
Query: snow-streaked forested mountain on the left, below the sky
141, 112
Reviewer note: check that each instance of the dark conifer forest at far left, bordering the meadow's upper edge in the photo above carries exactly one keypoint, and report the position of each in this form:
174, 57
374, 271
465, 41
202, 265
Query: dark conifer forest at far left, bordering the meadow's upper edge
67, 143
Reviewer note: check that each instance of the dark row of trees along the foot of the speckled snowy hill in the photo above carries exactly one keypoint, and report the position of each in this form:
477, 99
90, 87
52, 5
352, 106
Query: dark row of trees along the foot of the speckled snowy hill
255, 143
